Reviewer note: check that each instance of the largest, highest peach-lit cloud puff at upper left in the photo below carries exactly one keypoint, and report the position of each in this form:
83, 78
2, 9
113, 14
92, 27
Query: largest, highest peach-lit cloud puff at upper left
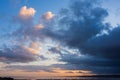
26, 13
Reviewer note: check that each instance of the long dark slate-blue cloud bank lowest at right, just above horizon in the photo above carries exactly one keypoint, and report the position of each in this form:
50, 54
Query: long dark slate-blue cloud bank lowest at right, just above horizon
87, 62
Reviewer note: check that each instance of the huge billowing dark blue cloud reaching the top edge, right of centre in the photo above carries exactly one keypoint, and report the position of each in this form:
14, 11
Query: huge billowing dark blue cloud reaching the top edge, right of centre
79, 23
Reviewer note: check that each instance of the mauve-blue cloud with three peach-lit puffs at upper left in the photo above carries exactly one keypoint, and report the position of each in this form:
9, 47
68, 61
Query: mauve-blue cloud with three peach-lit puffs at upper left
27, 28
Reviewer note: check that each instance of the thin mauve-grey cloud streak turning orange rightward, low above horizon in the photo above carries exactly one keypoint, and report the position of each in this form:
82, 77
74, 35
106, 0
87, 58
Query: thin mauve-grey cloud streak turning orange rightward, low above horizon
50, 69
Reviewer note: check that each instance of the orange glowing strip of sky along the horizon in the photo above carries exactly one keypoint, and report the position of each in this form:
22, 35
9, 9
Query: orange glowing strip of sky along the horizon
37, 74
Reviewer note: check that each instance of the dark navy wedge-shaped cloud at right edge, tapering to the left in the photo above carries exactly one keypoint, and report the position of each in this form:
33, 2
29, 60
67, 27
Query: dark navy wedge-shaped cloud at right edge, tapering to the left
107, 45
